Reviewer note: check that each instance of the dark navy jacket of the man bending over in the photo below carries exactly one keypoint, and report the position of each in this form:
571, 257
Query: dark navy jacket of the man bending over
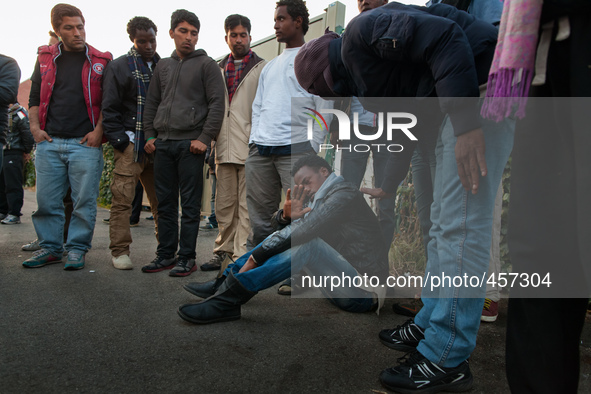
416, 52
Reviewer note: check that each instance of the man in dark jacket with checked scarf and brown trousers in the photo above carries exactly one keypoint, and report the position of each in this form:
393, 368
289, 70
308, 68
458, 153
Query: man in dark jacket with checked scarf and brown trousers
126, 84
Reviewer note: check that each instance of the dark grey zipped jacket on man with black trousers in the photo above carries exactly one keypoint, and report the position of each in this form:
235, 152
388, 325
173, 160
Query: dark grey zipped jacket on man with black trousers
185, 99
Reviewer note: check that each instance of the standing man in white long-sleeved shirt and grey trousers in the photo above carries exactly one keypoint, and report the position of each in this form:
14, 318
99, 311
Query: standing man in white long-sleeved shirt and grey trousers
277, 138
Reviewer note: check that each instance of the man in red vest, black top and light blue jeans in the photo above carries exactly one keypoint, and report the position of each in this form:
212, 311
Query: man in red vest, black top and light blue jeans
66, 122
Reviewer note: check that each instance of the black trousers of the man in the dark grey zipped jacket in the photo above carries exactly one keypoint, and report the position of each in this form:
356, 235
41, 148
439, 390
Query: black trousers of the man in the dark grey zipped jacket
178, 171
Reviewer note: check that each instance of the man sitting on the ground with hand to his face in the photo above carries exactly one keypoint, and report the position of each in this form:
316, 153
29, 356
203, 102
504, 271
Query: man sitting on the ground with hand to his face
337, 236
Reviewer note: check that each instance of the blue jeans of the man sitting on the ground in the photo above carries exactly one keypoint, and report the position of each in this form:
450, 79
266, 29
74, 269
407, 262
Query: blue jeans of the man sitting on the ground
319, 259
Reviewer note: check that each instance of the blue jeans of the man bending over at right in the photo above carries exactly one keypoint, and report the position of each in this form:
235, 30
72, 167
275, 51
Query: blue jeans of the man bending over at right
460, 244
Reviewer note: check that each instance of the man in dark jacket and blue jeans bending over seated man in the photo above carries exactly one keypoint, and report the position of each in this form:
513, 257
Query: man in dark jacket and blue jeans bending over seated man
444, 53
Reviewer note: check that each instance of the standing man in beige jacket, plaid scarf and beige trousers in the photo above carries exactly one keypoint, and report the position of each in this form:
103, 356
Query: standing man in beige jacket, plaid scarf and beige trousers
241, 70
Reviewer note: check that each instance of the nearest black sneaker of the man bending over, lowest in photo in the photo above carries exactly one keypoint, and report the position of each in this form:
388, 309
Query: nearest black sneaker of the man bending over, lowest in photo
416, 374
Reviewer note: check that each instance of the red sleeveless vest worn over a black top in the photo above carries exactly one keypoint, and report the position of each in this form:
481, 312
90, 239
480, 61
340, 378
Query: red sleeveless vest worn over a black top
92, 78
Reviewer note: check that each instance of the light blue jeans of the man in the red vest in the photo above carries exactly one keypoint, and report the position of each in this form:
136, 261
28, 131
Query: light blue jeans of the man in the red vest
61, 164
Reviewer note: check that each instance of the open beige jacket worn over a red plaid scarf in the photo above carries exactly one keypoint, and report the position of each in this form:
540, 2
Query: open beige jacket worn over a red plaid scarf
232, 141
